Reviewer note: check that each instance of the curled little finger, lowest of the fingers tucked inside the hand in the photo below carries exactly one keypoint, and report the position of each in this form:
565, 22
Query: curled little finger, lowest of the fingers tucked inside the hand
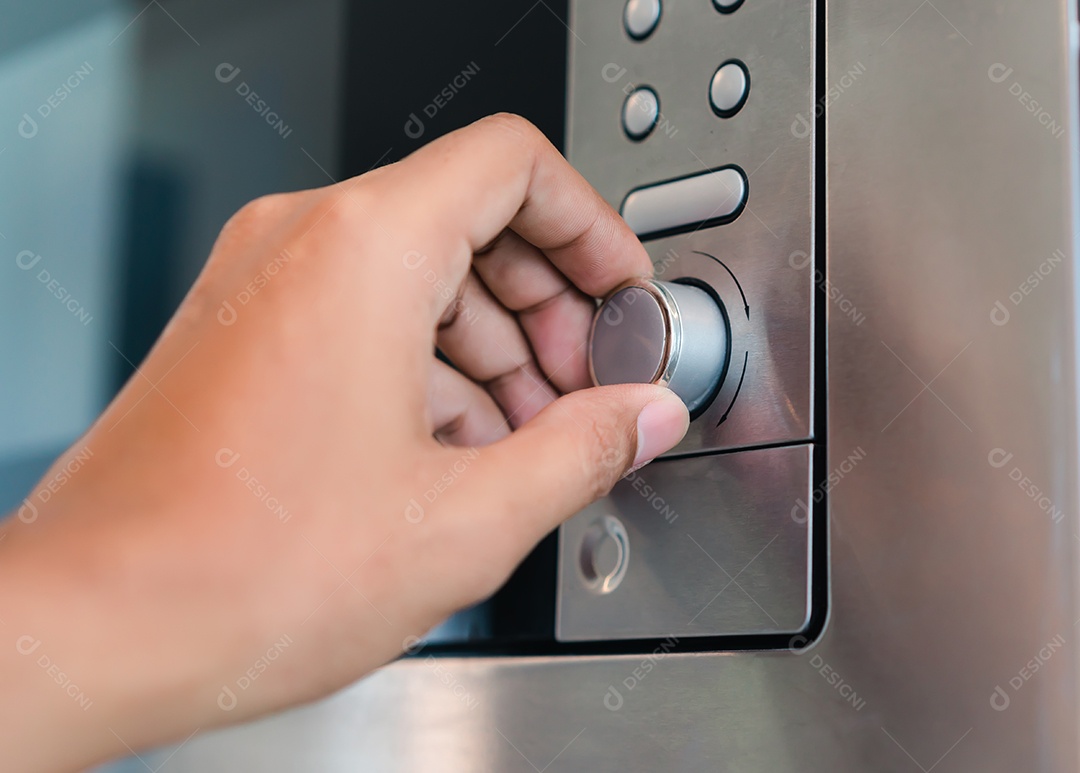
463, 414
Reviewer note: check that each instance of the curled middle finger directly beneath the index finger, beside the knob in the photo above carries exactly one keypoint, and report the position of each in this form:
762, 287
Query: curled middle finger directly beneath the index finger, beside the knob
555, 315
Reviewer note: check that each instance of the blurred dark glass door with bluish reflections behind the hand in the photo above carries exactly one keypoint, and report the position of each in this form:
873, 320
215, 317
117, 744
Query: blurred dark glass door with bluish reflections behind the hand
132, 131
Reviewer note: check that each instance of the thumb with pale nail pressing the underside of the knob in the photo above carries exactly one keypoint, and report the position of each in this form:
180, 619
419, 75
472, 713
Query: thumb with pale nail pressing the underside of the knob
576, 450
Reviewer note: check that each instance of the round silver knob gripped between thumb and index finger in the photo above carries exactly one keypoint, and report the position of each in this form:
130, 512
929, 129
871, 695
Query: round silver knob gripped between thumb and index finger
665, 333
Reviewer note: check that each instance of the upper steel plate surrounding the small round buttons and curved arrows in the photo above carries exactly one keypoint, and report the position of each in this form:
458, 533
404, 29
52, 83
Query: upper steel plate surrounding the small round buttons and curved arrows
769, 302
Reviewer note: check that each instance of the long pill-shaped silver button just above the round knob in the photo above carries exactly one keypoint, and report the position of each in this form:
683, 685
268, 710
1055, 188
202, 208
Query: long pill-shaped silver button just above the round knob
708, 199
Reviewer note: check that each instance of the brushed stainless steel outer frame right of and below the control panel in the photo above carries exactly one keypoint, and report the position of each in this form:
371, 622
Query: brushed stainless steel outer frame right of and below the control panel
949, 579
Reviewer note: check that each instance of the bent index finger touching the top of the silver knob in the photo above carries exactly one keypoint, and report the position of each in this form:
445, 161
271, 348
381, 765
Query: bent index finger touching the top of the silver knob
502, 172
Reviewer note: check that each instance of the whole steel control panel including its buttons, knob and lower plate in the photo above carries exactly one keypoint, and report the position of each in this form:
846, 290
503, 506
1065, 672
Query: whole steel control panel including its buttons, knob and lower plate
697, 121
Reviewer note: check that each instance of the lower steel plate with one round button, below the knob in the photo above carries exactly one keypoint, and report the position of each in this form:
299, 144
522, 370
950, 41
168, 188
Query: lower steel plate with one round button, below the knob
717, 546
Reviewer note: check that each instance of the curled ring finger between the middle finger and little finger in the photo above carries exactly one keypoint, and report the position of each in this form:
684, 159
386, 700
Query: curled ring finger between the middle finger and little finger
487, 343
